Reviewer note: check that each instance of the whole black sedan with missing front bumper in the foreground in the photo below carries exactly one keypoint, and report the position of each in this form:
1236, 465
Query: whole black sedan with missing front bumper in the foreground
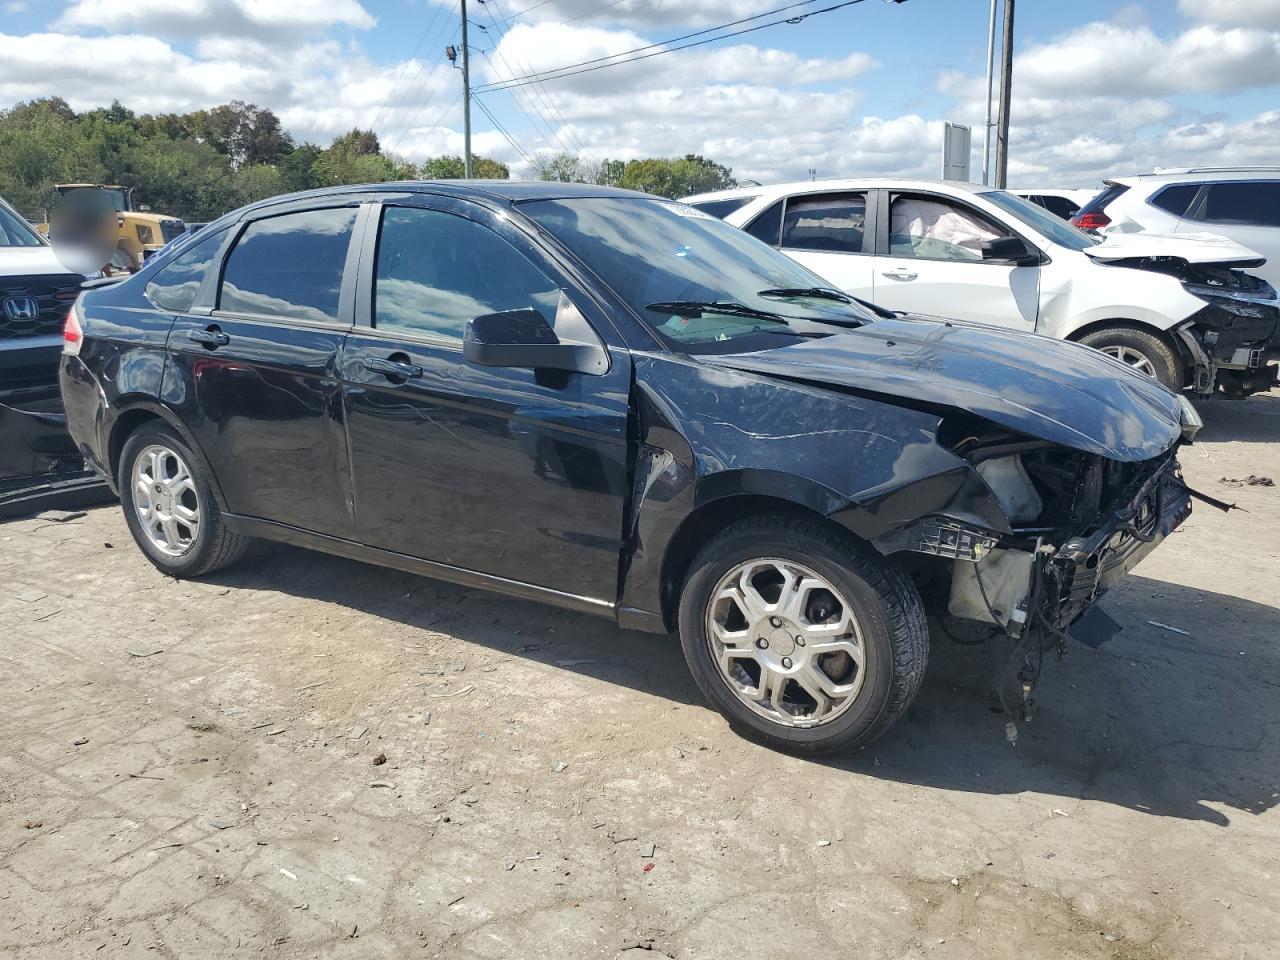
615, 404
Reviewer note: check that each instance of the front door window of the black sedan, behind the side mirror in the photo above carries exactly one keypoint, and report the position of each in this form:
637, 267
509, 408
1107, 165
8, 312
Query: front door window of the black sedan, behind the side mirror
438, 271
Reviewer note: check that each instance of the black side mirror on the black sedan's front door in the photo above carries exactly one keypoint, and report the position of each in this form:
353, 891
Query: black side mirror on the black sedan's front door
524, 339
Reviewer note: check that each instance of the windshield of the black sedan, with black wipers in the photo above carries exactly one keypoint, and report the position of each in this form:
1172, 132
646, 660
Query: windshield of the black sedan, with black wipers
674, 264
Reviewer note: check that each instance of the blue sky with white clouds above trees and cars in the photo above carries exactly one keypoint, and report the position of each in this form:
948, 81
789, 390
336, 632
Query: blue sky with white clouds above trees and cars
1100, 89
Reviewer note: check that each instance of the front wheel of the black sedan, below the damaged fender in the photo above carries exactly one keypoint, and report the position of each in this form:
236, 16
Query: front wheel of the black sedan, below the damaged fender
892, 633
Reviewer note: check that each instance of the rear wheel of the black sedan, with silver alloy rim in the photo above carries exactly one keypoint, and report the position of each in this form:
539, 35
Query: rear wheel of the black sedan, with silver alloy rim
156, 461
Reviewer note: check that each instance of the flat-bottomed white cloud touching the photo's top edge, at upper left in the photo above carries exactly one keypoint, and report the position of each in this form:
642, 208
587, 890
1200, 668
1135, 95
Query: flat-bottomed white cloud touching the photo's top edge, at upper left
190, 19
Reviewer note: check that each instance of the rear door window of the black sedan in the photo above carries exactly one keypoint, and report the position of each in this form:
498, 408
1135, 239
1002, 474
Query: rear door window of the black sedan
290, 266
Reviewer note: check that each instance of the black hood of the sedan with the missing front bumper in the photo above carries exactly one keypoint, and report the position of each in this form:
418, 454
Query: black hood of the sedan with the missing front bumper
1036, 386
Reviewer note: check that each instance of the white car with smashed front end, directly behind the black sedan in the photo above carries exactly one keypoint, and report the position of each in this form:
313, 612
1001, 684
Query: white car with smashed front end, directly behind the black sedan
1176, 308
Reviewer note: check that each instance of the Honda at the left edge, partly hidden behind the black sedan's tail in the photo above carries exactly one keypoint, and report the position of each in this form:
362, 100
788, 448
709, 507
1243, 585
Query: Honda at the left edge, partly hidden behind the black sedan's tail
38, 458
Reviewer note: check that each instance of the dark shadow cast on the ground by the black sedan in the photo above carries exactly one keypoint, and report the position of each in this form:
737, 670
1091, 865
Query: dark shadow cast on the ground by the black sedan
1154, 721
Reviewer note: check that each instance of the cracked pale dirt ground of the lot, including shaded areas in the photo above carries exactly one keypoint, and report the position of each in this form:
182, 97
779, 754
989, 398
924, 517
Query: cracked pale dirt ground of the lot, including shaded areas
188, 770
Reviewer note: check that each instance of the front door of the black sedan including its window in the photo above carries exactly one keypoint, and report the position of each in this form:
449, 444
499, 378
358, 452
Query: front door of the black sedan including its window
513, 473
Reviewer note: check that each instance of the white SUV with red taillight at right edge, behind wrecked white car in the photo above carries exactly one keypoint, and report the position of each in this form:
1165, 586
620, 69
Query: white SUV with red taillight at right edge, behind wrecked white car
1241, 204
